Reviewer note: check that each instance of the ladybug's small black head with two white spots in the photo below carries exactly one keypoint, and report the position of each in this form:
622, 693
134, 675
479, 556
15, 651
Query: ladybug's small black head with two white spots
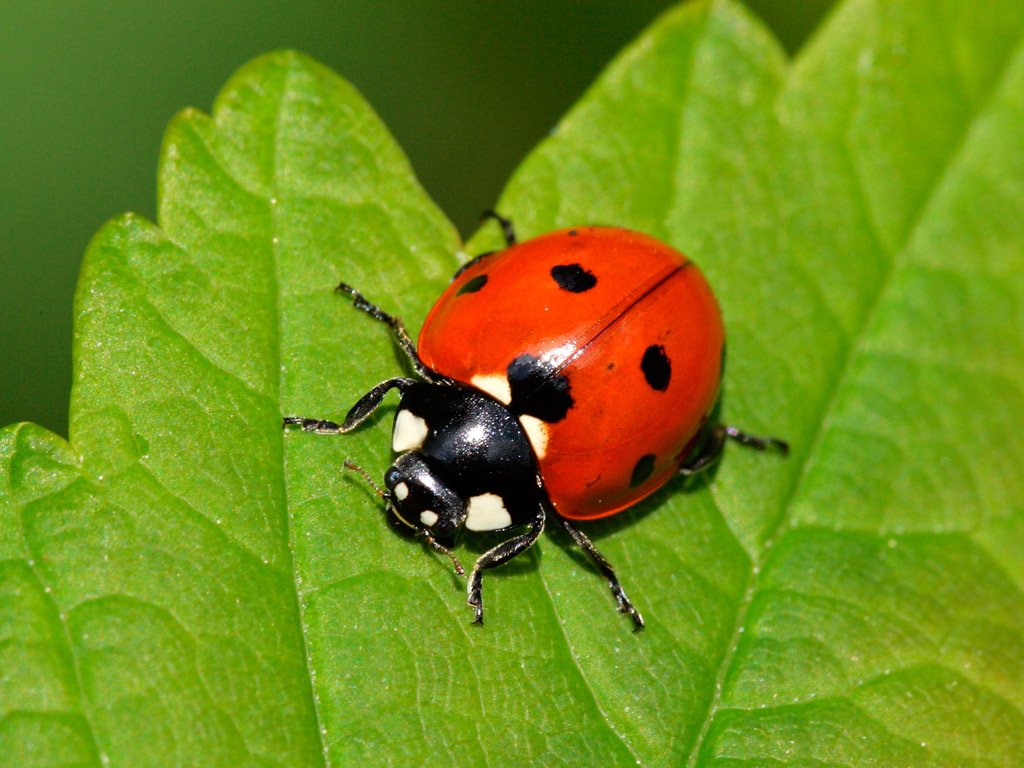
421, 500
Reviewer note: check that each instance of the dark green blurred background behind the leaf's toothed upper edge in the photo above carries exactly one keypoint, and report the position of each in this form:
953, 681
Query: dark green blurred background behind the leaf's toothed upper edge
88, 89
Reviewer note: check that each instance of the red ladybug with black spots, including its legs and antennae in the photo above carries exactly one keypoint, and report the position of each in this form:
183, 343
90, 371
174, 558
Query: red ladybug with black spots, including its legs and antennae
567, 378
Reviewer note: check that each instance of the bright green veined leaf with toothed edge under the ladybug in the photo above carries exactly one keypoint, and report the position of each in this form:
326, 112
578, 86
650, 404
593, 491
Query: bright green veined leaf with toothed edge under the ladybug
182, 584
